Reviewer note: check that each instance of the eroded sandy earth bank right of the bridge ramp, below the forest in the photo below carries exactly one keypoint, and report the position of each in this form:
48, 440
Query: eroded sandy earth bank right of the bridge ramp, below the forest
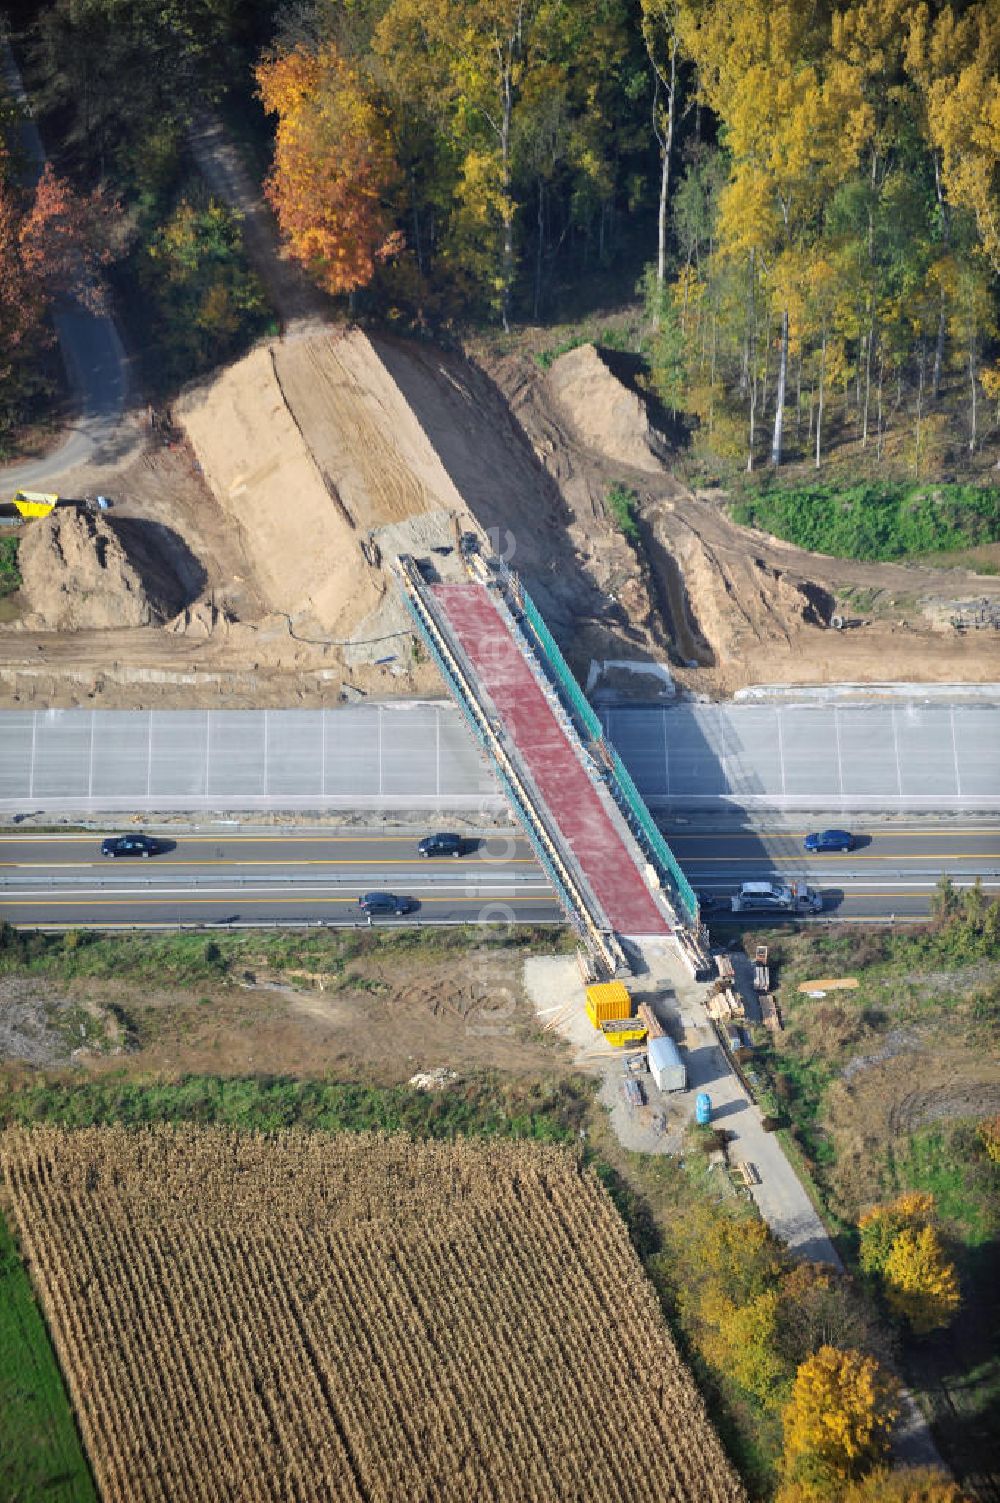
739, 608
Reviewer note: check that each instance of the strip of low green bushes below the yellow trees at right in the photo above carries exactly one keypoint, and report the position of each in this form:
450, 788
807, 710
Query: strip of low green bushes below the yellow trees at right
876, 521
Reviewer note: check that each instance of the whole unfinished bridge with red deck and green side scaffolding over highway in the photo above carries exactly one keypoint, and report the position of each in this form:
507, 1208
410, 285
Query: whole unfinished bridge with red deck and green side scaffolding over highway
610, 865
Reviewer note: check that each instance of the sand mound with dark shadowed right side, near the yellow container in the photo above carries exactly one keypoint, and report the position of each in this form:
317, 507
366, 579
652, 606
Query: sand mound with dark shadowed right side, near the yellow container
79, 576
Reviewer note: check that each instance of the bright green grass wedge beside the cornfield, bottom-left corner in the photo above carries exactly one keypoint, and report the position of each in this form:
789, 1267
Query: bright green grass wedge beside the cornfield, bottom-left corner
41, 1456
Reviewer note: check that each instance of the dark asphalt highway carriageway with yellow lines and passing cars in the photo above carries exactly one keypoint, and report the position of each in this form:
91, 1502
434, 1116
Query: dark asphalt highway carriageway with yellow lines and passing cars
317, 875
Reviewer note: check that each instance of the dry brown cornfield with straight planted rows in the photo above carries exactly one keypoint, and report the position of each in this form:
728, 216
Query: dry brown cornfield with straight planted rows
353, 1317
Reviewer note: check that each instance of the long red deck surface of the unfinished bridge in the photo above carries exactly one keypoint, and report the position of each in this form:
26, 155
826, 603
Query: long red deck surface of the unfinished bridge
568, 791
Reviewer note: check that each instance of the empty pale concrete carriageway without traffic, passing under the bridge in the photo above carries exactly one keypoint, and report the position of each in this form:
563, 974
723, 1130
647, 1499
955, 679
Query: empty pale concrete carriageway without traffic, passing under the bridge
886, 758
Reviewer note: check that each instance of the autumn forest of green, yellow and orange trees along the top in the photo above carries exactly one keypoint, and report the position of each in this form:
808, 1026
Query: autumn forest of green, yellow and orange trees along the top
805, 196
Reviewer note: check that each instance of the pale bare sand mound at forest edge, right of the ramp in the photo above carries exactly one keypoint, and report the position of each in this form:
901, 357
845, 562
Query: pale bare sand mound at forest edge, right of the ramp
608, 416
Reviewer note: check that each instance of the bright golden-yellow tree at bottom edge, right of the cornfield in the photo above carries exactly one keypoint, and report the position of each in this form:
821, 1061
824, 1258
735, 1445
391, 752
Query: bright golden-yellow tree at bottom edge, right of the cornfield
840, 1418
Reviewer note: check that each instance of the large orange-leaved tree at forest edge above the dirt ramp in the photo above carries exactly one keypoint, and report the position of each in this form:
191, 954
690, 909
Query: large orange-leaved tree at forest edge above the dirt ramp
333, 168
